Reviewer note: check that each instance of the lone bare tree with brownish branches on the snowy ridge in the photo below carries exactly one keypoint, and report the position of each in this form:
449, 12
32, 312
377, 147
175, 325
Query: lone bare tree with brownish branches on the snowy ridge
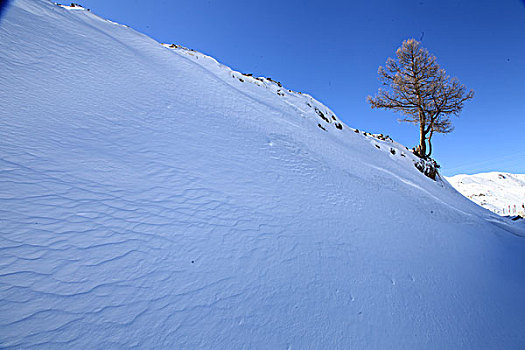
421, 91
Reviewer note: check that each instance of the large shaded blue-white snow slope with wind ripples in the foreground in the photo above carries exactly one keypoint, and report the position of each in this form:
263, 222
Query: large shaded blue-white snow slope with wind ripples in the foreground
153, 198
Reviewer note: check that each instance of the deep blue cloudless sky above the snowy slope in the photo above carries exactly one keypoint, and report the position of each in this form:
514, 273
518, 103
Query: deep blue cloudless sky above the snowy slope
332, 49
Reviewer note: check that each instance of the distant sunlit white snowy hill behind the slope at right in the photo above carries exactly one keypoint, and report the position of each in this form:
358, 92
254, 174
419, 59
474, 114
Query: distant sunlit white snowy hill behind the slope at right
502, 193
